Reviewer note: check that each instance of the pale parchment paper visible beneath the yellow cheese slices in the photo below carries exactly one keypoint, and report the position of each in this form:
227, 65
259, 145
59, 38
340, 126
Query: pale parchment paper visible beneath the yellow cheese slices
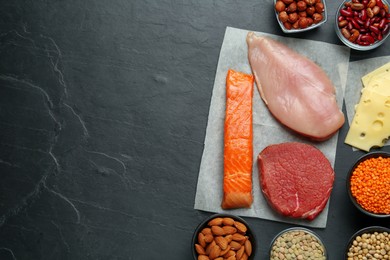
356, 71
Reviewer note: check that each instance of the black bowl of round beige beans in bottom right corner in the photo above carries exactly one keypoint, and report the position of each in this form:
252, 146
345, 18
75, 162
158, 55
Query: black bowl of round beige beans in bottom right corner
369, 243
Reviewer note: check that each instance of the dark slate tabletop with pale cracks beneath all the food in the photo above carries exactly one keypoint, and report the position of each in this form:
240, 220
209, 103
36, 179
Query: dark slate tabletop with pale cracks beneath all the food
103, 112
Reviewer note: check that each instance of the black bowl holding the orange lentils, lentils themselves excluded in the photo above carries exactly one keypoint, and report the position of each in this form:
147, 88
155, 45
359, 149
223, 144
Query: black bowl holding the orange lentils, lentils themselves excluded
348, 182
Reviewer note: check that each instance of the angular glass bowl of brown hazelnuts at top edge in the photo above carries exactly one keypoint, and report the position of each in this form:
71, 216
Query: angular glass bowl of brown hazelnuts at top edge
296, 16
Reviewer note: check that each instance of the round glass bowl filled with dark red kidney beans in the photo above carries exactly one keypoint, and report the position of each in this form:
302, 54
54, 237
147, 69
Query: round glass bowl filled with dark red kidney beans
363, 24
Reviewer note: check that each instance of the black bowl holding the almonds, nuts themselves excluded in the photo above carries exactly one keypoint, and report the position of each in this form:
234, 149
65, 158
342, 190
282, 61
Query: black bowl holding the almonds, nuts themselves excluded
204, 224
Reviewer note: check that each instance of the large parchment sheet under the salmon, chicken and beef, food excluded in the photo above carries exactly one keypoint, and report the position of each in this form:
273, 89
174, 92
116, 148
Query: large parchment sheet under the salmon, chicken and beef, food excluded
266, 130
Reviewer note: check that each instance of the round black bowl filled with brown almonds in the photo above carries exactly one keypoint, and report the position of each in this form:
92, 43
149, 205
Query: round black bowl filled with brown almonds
223, 235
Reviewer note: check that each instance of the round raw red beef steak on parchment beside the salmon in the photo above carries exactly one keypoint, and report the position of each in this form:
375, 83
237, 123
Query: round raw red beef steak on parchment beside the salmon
296, 179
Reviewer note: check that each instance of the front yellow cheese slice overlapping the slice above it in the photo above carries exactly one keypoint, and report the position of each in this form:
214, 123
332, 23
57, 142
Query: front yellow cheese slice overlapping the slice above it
371, 124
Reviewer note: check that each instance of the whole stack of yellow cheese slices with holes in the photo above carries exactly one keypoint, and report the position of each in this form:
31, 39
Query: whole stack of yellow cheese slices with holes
370, 126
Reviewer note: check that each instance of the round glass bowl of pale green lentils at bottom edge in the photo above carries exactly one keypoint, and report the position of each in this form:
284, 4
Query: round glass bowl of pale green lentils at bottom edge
297, 243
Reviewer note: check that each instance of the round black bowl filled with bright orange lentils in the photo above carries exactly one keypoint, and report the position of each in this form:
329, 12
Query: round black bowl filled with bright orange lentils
368, 184
